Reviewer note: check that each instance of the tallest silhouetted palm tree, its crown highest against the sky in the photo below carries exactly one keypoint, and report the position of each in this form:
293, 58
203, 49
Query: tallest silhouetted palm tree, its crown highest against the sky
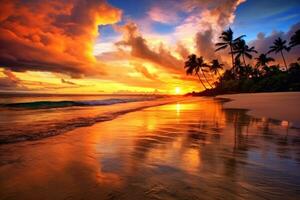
227, 41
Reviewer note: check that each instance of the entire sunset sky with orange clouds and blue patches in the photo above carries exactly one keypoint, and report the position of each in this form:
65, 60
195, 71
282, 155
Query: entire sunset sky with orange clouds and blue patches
118, 46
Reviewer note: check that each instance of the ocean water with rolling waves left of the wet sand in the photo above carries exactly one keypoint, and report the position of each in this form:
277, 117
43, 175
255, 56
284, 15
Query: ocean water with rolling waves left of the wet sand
36, 116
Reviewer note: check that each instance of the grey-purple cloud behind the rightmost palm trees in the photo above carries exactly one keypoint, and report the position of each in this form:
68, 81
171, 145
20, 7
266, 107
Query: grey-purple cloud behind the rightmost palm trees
263, 42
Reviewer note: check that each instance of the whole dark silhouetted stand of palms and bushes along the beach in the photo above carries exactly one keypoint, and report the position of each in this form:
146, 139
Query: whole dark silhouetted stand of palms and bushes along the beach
242, 76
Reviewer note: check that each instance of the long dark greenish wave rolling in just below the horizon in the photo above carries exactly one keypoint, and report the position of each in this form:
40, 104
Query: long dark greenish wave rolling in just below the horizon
62, 104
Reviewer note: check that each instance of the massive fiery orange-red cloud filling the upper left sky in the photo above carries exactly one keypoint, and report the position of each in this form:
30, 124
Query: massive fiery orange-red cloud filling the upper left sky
55, 36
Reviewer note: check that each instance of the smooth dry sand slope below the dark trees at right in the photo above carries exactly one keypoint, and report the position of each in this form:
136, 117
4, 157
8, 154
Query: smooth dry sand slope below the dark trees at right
284, 106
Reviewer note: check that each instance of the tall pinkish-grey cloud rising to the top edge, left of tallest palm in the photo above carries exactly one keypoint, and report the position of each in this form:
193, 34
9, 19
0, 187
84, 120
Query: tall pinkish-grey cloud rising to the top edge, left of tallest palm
205, 27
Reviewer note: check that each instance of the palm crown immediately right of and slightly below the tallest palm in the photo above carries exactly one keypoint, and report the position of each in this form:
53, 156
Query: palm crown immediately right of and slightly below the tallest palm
242, 49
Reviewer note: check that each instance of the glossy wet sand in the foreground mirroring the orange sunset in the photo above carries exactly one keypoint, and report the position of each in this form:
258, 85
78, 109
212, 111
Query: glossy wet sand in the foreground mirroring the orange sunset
192, 149
